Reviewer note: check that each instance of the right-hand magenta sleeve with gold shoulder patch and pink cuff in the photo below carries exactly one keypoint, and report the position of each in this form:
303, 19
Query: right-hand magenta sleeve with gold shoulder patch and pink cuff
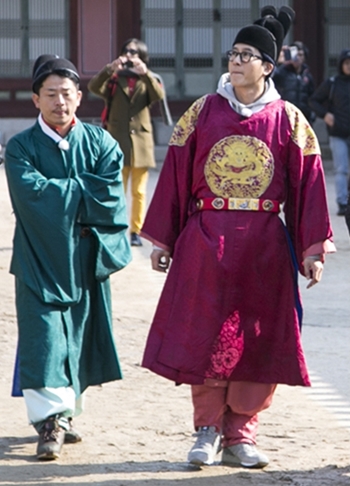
306, 210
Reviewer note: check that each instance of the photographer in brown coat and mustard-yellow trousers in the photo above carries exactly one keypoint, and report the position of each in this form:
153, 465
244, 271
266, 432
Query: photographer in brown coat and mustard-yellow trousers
129, 88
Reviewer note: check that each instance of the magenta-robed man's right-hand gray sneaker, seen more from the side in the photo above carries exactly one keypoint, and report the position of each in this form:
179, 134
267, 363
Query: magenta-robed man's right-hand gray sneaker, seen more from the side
245, 455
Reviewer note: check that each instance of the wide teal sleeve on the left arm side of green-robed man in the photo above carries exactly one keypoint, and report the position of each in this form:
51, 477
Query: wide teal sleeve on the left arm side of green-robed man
45, 235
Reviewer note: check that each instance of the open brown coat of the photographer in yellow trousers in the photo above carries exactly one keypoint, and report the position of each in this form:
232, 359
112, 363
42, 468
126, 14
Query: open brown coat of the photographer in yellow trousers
129, 120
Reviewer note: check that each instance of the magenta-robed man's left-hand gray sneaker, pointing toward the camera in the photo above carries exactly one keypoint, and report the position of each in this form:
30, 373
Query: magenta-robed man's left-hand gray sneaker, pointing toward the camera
206, 446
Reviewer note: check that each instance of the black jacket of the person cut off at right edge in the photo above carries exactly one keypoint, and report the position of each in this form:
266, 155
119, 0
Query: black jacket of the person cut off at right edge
333, 96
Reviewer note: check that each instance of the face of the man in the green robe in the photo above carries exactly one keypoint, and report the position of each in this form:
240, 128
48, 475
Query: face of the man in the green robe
58, 100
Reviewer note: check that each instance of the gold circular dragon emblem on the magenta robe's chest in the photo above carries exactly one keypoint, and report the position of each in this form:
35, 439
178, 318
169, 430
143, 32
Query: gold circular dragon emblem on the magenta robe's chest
239, 166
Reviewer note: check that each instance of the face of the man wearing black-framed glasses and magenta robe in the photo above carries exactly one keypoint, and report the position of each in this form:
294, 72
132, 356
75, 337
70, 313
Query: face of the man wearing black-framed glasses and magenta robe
247, 74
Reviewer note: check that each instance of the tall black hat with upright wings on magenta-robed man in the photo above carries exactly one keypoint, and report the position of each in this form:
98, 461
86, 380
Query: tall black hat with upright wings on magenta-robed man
267, 33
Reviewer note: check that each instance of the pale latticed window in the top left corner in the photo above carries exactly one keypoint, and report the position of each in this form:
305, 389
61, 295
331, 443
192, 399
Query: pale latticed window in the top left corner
29, 28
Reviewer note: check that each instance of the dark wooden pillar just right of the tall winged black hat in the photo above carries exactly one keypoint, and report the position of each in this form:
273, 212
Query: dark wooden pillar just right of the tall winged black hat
309, 28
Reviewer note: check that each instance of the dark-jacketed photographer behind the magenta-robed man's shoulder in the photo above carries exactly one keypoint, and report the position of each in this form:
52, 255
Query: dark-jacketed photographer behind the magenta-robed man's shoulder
293, 79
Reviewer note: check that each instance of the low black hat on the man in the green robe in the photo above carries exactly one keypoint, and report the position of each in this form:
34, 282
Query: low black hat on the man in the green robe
51, 64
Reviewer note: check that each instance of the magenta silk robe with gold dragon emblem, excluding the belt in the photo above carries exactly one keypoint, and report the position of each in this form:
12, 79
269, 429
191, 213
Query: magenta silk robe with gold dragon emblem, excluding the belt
228, 309
